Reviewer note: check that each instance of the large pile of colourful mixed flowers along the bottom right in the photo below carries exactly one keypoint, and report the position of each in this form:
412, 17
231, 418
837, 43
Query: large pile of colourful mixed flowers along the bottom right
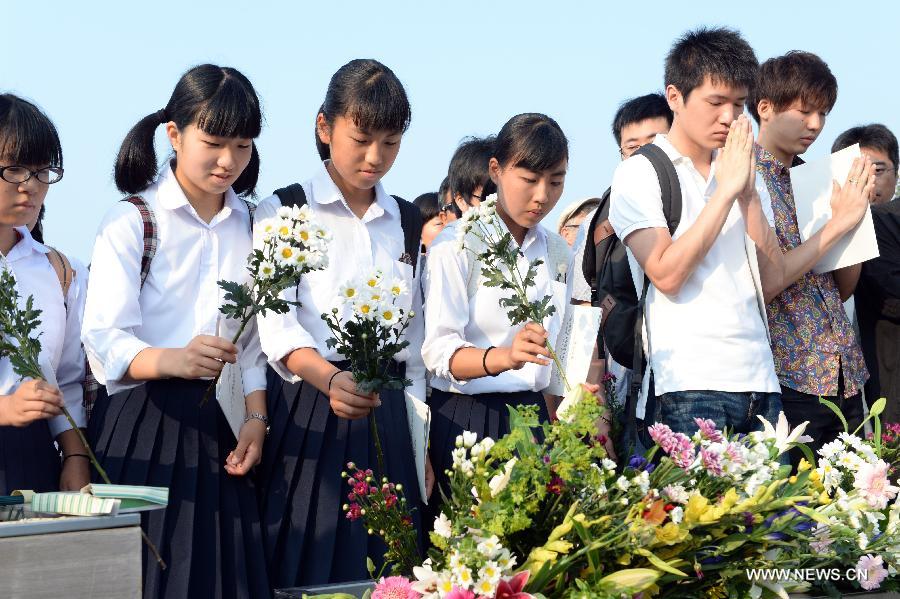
554, 517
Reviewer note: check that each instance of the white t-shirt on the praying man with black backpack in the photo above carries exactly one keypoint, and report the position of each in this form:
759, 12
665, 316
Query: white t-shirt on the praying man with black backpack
711, 335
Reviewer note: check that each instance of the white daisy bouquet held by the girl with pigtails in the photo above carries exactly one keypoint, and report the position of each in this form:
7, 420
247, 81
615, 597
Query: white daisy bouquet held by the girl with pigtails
293, 244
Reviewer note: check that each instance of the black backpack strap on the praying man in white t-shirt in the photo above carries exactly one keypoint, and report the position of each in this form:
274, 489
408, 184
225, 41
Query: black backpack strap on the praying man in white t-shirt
670, 195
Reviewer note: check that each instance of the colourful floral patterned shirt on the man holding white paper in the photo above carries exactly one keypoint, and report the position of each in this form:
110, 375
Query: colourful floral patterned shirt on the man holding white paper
812, 338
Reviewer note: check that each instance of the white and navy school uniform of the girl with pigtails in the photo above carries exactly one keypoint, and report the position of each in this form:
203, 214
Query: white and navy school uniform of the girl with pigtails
156, 432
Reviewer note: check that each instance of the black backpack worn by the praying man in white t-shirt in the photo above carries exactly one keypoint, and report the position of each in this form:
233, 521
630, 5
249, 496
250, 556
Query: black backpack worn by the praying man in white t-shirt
608, 272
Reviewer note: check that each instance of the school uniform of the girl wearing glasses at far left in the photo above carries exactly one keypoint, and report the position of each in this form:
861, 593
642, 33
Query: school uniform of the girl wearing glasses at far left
28, 457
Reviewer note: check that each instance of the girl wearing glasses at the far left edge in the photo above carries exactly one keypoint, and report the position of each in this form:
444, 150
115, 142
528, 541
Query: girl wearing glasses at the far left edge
30, 415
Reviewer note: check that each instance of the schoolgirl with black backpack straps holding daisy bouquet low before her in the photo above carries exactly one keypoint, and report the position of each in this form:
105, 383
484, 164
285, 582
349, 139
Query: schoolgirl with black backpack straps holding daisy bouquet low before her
318, 414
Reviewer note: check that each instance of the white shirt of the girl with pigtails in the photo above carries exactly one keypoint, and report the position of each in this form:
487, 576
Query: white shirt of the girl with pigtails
180, 298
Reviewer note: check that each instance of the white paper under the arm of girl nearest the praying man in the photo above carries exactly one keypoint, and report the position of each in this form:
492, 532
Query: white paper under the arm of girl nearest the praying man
575, 346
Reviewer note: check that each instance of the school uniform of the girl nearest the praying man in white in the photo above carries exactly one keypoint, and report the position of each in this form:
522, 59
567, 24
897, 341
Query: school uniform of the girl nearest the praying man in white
463, 312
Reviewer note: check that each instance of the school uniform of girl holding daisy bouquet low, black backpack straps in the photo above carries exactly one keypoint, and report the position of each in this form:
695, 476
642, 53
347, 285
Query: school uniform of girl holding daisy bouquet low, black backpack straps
308, 538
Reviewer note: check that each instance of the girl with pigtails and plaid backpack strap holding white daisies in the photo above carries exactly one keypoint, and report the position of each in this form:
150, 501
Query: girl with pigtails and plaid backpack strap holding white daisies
155, 337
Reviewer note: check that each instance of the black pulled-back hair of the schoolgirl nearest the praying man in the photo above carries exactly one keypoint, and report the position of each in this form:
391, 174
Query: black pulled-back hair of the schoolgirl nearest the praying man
532, 141
